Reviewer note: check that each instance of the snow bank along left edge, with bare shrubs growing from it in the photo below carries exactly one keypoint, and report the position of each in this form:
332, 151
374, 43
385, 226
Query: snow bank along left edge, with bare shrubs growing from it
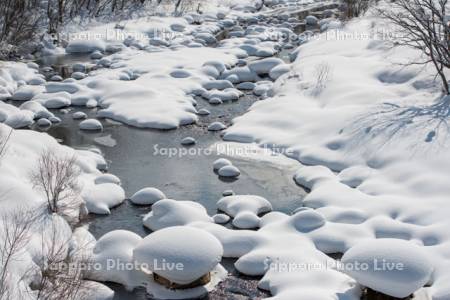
48, 232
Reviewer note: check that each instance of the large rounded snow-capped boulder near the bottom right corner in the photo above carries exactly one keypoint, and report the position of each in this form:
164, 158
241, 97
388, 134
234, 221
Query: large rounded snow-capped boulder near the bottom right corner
397, 268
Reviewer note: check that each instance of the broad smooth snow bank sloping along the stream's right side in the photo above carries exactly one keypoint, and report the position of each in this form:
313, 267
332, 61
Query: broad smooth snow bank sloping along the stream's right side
376, 165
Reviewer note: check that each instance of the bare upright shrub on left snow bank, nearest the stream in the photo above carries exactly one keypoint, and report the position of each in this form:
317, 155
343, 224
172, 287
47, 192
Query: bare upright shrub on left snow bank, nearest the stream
57, 176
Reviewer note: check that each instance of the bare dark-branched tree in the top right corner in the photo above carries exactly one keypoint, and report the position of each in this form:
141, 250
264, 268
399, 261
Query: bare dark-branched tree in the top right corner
423, 25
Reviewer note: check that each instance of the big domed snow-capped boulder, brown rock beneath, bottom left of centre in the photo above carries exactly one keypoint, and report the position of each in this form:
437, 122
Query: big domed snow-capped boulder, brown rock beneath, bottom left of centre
194, 253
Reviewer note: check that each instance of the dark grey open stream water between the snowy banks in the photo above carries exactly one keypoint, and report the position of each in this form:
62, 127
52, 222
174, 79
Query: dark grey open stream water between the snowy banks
131, 155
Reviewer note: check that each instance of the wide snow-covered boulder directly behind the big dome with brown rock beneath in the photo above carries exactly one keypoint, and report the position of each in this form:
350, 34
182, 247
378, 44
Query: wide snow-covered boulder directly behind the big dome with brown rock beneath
168, 212
